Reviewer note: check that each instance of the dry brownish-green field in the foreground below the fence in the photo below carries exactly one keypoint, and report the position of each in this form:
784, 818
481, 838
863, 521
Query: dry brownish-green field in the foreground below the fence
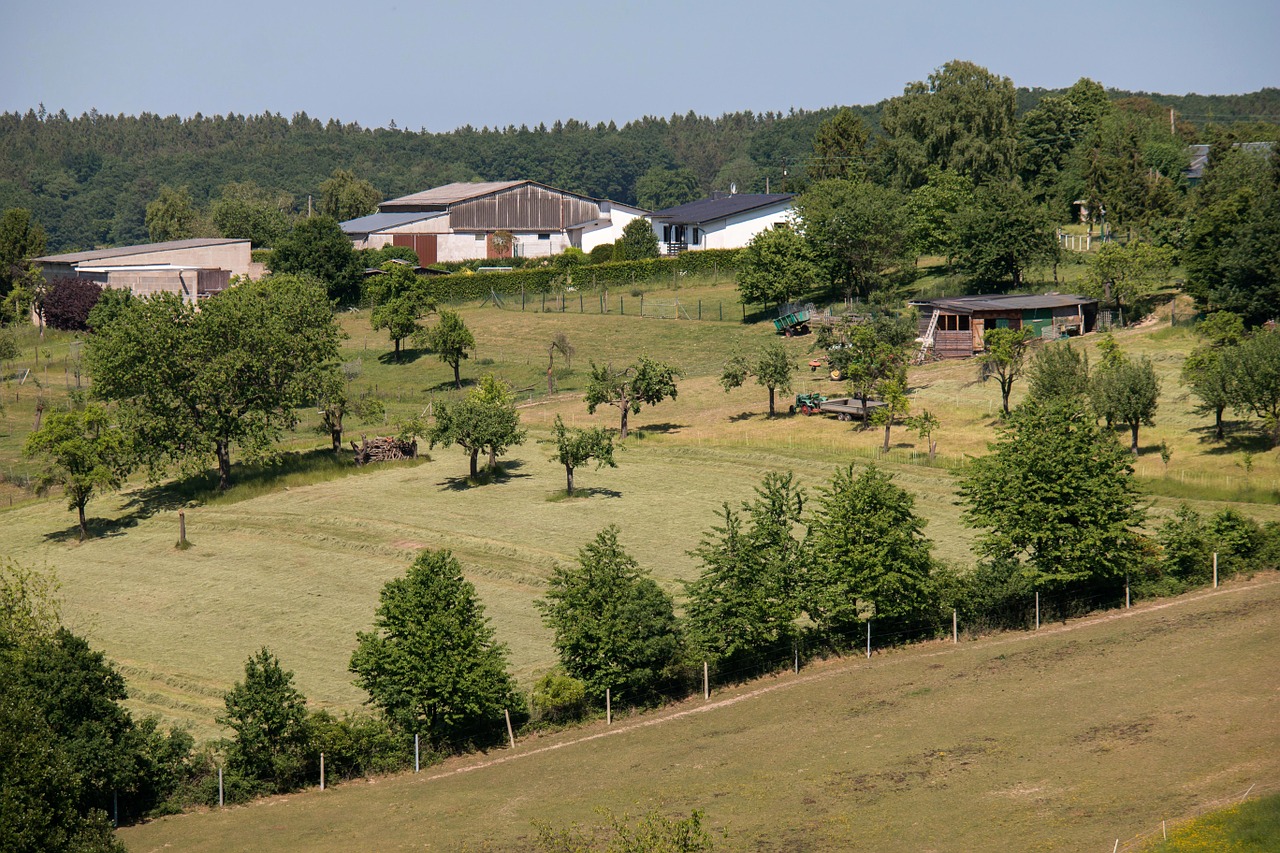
1072, 738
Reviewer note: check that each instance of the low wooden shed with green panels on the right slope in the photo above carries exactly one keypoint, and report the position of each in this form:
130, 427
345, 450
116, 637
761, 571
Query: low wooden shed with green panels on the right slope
953, 327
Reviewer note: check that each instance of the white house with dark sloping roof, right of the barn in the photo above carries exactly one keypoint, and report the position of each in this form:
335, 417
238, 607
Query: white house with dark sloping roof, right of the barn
725, 221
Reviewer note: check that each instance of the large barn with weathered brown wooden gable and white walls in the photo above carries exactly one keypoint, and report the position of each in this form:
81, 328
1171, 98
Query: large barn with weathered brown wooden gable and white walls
459, 221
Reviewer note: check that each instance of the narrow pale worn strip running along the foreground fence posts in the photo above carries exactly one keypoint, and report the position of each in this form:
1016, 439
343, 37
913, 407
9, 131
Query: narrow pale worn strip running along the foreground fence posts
844, 667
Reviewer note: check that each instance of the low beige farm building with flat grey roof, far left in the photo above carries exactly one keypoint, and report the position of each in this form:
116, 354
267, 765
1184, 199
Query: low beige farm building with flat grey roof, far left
190, 268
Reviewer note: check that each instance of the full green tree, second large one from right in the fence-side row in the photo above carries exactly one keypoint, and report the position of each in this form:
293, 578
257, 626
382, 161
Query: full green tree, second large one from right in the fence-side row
867, 553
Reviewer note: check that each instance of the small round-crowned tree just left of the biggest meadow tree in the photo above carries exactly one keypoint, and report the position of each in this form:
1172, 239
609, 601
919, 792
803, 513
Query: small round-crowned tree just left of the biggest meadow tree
85, 454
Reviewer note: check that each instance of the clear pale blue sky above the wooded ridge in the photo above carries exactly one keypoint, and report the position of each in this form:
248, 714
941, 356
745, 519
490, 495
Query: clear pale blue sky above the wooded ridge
424, 63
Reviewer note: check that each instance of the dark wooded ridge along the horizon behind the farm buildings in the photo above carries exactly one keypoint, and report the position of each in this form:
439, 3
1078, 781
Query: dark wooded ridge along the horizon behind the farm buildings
89, 180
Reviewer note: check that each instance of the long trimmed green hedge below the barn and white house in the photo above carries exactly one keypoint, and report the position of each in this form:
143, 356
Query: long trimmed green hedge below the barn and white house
546, 280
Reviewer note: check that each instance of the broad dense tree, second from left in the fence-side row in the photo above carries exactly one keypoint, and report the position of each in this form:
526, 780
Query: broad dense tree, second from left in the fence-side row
432, 663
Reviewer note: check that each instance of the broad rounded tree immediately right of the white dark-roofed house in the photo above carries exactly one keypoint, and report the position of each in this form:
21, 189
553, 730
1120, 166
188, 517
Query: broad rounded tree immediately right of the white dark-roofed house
860, 232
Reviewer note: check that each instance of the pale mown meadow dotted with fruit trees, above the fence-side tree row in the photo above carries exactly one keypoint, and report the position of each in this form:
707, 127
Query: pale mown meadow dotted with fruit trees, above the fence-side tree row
299, 571
